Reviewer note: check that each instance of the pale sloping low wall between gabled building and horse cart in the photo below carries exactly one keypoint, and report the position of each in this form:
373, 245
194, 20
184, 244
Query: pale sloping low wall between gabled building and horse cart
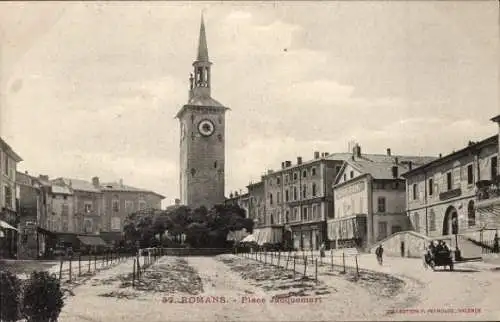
403, 244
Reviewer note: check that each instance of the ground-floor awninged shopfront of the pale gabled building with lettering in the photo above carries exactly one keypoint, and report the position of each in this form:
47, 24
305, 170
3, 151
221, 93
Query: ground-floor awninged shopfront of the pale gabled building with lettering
348, 232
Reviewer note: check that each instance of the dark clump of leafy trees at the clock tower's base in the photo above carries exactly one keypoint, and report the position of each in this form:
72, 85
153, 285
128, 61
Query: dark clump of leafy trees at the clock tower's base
201, 227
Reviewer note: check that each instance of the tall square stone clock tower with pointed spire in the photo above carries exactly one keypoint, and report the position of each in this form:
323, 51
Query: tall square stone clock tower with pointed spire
202, 127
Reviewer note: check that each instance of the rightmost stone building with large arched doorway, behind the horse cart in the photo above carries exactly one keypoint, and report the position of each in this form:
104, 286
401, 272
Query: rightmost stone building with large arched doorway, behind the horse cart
445, 195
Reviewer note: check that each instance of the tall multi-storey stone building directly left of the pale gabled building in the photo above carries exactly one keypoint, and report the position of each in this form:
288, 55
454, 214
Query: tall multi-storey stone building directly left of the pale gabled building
298, 200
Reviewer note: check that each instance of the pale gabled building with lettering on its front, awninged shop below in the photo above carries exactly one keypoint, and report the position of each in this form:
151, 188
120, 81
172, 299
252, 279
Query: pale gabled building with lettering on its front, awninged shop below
369, 198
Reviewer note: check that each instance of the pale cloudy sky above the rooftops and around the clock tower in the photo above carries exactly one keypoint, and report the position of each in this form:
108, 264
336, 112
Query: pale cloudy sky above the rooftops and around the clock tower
91, 89
